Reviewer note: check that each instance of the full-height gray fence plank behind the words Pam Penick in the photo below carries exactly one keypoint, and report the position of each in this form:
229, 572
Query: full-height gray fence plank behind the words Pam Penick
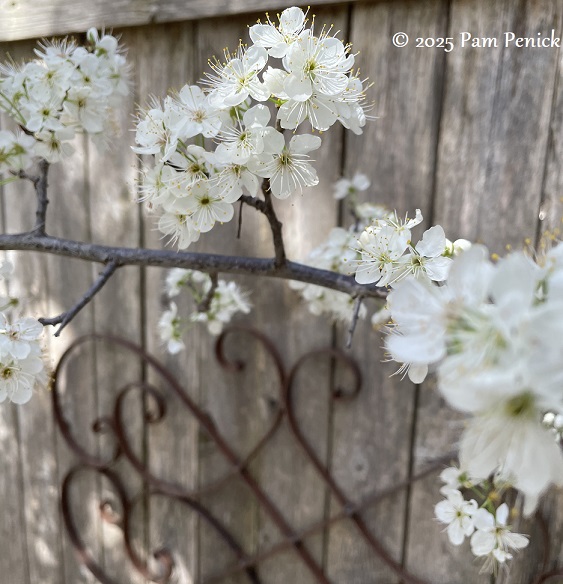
494, 132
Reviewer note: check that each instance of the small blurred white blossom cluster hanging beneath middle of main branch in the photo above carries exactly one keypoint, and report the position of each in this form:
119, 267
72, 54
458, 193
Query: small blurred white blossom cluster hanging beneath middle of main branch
226, 300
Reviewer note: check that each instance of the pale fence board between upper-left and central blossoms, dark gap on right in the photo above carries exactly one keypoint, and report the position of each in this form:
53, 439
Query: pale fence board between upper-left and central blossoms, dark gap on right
114, 219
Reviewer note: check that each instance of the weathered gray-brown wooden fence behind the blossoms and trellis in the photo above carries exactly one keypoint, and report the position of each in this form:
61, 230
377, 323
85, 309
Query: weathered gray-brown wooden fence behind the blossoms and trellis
473, 137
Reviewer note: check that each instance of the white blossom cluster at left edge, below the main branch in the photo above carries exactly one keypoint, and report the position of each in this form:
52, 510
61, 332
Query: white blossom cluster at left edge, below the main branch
21, 364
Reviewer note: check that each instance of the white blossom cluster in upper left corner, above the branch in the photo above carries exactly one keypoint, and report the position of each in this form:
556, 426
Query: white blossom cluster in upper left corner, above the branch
67, 89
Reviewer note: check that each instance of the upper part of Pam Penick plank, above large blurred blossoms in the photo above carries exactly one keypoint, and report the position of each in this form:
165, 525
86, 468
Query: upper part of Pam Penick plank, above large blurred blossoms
495, 126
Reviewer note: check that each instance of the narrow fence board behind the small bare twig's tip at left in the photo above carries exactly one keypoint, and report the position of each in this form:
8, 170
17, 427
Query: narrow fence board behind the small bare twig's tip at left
68, 280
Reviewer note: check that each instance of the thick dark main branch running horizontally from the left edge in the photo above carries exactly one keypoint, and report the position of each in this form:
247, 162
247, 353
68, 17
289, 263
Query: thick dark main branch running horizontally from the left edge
208, 263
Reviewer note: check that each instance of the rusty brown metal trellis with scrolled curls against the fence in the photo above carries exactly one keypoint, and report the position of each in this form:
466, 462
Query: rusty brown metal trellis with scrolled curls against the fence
247, 564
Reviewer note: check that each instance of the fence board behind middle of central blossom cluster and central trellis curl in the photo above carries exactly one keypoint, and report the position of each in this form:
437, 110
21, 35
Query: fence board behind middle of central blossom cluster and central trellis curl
228, 399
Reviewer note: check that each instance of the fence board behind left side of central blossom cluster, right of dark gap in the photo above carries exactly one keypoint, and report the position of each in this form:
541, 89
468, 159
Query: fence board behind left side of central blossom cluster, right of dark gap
164, 59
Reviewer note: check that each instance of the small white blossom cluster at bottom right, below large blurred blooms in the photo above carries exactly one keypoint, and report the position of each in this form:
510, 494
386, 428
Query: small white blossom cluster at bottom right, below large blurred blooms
491, 536
